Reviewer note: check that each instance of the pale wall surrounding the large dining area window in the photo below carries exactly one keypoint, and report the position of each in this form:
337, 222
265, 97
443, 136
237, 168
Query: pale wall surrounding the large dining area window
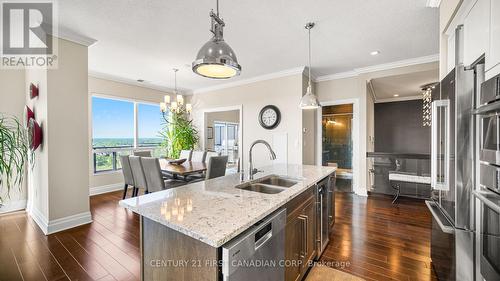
103, 87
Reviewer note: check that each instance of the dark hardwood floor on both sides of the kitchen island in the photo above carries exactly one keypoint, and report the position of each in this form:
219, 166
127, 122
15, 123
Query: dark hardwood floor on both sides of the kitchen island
372, 239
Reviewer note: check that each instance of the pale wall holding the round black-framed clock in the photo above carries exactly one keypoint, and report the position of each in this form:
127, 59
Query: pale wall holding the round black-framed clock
284, 92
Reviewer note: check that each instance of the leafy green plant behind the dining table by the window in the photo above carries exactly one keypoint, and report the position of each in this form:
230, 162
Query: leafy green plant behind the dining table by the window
178, 133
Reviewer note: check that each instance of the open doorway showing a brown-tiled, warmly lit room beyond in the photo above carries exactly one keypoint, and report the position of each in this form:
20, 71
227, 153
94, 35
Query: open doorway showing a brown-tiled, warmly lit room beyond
337, 142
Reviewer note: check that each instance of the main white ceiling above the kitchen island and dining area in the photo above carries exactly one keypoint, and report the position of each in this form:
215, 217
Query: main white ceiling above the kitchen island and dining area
146, 39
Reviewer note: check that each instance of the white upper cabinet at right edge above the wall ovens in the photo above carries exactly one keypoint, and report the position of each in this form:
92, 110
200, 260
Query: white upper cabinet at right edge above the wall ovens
493, 58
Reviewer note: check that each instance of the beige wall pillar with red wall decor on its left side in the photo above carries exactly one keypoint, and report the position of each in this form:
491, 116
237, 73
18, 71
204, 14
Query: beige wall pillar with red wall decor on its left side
58, 183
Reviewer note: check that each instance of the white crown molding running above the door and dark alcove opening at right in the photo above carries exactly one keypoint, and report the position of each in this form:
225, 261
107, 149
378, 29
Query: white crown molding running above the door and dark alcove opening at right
379, 67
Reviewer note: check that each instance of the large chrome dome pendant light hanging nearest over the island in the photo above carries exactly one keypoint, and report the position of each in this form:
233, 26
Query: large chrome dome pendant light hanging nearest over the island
216, 59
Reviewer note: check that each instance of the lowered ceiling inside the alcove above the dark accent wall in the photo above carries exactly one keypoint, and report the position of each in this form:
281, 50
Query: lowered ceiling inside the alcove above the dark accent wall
406, 86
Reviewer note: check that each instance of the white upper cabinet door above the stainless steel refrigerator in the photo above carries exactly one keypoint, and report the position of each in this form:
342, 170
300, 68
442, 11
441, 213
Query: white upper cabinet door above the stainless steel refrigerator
477, 31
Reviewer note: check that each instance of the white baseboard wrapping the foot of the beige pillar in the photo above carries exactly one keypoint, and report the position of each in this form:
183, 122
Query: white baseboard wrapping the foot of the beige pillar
53, 226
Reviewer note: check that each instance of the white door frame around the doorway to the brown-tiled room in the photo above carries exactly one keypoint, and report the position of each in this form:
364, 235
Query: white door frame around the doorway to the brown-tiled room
356, 164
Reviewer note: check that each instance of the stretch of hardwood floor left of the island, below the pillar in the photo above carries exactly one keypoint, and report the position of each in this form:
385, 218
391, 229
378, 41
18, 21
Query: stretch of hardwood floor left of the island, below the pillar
107, 249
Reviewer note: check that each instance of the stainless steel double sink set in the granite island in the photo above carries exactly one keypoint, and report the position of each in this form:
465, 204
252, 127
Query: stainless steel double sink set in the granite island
271, 184
